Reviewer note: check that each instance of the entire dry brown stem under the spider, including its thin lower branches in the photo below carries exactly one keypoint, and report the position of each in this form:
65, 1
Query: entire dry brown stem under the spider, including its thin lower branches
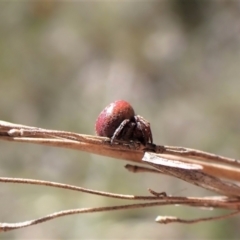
197, 167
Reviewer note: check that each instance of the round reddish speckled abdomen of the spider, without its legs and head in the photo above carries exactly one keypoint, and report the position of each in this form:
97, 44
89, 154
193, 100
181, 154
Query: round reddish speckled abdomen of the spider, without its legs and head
112, 116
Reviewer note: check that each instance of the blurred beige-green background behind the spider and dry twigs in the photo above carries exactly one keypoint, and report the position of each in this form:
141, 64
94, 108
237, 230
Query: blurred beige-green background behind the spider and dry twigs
61, 63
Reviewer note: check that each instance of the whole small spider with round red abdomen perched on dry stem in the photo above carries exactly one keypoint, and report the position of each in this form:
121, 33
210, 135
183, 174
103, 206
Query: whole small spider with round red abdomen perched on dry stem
119, 122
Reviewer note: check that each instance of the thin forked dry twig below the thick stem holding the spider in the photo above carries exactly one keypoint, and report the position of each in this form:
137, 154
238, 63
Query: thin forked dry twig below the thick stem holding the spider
159, 199
